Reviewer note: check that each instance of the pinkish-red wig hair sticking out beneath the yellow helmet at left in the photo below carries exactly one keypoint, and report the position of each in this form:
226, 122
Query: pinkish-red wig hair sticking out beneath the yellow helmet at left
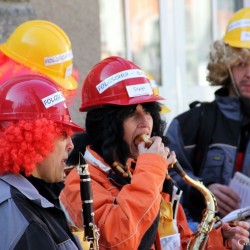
10, 68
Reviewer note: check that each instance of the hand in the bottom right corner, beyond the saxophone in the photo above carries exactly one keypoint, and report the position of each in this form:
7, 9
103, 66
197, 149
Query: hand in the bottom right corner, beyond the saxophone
236, 237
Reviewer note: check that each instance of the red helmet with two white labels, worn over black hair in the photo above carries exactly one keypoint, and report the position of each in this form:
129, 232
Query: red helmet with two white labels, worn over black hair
118, 81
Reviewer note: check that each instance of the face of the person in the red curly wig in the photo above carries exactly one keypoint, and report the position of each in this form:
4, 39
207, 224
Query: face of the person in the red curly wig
51, 169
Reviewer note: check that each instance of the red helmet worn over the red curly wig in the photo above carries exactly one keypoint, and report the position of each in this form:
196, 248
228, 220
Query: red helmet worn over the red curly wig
30, 97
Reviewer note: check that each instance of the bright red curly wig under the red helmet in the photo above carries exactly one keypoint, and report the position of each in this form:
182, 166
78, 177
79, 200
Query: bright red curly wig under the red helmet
25, 143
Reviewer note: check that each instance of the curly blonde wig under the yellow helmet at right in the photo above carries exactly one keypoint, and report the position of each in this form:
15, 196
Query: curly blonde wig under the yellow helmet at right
222, 57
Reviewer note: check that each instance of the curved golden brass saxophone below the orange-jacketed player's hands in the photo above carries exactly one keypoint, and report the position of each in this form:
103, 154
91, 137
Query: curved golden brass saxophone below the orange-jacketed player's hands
200, 237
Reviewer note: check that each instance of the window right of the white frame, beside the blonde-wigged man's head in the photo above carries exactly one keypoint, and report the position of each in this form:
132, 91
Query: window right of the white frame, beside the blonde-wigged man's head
203, 27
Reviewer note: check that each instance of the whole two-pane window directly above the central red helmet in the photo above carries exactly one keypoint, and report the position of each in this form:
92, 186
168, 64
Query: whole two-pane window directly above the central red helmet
131, 29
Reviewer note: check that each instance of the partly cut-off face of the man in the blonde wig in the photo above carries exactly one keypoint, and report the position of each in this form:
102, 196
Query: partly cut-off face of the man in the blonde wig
241, 74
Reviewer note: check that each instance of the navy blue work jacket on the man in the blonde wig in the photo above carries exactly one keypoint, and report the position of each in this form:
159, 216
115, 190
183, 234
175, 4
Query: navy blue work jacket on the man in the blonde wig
220, 158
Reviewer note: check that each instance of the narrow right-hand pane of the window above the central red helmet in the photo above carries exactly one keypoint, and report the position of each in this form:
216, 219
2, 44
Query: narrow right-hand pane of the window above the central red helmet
144, 35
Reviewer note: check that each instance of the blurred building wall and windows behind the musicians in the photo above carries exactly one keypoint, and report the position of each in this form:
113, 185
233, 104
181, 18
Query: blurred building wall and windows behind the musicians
168, 38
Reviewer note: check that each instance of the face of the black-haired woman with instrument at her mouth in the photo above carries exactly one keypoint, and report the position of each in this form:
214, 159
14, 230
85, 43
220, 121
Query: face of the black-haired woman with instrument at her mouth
139, 122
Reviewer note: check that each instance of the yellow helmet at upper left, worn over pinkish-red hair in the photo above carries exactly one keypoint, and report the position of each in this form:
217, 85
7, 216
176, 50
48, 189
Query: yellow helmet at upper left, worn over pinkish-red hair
44, 47
